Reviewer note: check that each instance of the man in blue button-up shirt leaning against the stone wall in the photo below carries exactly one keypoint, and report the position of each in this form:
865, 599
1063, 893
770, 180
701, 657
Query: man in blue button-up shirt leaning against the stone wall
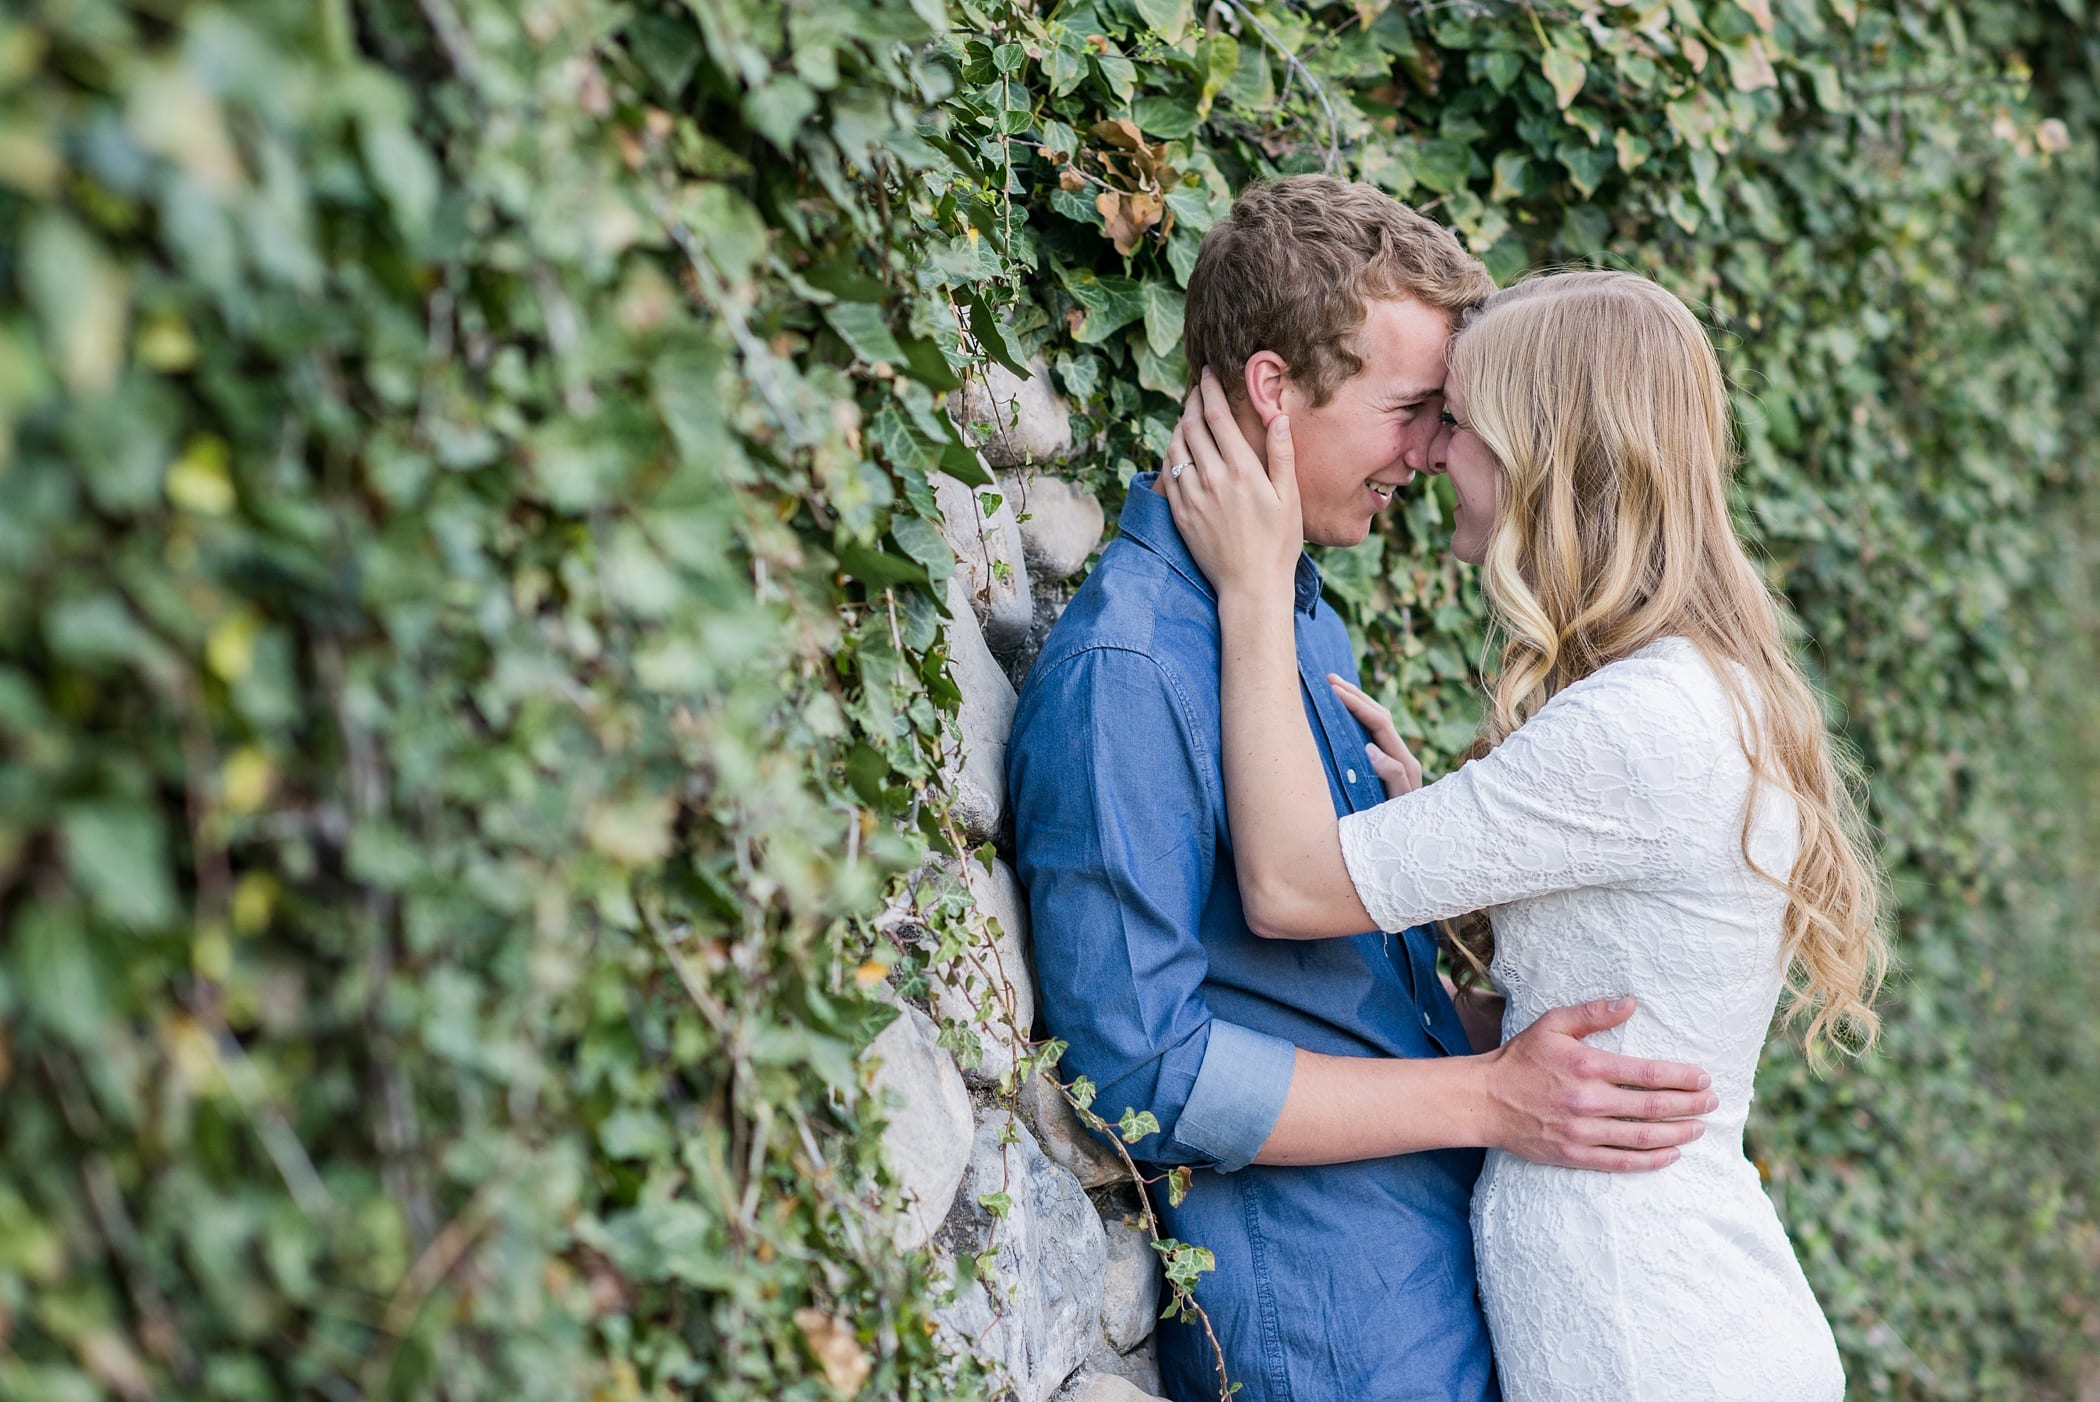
1324, 1090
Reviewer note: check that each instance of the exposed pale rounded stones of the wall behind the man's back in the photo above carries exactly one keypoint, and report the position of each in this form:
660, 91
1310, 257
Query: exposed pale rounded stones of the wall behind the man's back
1043, 1227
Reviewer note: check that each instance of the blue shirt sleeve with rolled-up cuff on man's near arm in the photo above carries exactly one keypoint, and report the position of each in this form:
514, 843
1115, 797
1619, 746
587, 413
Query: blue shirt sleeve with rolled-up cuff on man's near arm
1116, 845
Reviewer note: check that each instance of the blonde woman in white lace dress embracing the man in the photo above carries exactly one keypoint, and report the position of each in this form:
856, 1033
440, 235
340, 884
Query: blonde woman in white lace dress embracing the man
1652, 811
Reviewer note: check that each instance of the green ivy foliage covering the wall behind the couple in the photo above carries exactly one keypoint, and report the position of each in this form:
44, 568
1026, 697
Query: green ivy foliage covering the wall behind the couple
476, 700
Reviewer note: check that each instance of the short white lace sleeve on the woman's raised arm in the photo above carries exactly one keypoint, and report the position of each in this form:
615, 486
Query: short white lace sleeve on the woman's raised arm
1612, 782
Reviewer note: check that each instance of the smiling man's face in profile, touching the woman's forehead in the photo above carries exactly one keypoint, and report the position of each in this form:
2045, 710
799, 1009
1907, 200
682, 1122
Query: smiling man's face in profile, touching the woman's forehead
1377, 429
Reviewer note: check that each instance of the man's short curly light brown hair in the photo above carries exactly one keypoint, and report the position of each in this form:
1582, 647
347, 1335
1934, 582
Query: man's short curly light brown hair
1295, 268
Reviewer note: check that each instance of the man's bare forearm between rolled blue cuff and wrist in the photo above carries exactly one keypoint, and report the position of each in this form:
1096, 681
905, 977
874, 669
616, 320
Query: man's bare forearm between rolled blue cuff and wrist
1360, 1107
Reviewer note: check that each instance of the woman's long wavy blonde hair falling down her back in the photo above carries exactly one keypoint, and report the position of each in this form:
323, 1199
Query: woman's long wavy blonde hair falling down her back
1610, 415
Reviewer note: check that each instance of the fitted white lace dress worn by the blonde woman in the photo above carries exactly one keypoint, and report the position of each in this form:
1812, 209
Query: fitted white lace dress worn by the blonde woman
1605, 841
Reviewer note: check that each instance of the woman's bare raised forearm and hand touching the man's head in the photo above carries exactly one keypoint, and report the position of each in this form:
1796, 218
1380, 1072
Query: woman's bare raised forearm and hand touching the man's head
1242, 524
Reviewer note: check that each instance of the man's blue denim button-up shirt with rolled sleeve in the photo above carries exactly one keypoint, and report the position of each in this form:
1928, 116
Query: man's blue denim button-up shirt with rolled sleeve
1339, 1283
